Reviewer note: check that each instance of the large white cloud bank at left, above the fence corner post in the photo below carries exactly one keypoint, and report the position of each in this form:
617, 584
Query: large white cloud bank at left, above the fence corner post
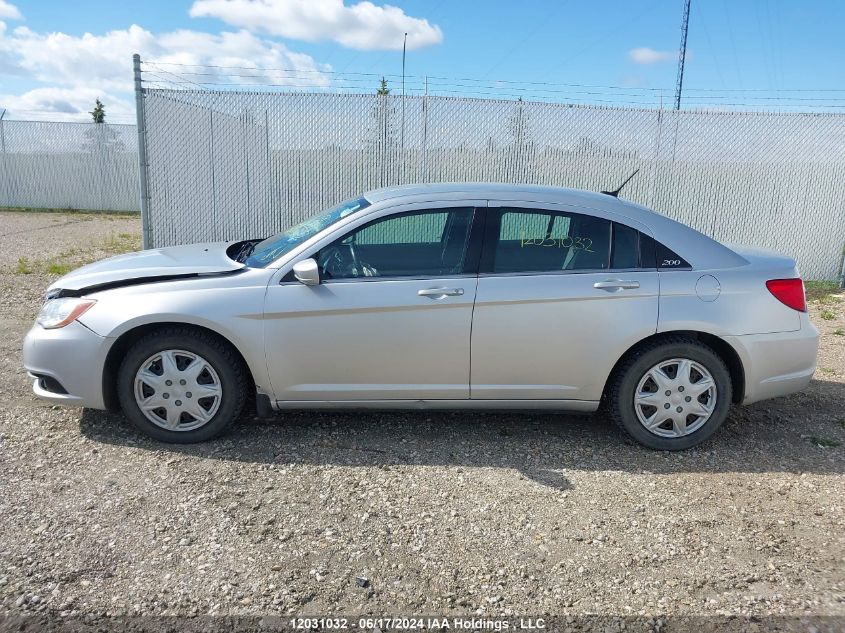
77, 69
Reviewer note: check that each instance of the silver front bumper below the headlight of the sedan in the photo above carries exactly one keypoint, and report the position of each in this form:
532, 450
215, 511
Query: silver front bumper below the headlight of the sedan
69, 359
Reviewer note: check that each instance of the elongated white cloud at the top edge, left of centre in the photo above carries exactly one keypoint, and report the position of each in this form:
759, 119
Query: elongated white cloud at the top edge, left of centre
361, 25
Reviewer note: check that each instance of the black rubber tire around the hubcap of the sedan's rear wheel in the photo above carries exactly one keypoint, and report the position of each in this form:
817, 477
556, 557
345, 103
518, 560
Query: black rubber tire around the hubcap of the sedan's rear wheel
620, 399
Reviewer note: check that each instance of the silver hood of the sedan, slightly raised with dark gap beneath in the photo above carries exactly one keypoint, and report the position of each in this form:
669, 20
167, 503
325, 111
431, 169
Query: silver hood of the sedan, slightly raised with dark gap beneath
172, 262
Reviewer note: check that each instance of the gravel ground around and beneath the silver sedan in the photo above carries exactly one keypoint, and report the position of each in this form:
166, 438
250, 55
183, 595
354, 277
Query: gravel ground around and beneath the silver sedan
401, 513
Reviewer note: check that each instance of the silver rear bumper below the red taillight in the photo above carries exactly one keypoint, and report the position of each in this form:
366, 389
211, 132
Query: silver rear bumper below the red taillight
777, 364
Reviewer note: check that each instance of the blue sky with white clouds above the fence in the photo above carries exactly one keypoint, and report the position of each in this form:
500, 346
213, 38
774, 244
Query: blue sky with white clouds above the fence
57, 56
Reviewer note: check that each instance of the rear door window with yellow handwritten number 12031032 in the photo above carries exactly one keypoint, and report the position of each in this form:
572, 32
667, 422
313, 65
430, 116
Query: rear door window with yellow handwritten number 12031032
537, 240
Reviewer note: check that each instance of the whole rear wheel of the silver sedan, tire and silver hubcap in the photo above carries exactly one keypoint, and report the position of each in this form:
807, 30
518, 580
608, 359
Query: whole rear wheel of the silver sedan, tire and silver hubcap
672, 395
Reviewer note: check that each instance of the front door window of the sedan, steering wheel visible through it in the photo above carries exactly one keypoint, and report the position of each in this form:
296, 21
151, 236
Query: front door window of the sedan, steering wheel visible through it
414, 244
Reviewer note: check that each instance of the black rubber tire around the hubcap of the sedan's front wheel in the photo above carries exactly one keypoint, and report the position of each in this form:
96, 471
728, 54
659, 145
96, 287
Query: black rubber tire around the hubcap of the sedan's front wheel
223, 359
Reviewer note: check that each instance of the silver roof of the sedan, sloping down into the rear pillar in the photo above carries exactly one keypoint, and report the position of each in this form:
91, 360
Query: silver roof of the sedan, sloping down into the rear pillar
700, 250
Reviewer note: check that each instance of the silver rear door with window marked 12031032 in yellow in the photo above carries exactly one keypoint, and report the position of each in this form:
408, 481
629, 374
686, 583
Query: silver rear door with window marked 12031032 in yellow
562, 294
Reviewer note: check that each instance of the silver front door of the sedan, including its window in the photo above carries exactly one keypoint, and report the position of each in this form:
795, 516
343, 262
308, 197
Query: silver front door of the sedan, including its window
391, 317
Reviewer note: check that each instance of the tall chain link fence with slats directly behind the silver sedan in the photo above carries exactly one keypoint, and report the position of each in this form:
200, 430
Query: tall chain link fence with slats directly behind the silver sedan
226, 165
